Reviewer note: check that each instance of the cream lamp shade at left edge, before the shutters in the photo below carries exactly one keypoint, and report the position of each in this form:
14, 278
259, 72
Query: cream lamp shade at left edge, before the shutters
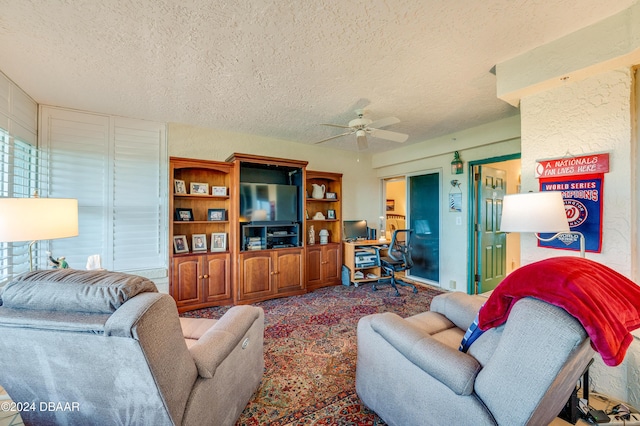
31, 219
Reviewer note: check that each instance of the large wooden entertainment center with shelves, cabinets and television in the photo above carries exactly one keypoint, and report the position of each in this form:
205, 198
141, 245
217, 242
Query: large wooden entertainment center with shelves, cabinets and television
255, 214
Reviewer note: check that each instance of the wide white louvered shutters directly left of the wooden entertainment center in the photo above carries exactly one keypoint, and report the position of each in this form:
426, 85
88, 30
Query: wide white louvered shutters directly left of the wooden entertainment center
116, 168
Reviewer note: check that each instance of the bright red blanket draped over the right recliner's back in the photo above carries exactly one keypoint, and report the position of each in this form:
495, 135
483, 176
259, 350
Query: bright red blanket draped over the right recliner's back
605, 302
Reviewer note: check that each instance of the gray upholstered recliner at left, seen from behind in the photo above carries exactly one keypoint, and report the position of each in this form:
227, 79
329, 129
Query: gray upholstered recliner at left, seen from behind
112, 350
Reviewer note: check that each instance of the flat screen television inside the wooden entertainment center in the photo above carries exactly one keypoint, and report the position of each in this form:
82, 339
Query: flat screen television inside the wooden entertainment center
267, 202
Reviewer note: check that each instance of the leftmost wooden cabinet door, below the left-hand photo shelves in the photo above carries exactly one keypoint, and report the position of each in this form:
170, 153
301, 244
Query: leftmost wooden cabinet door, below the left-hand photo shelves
185, 281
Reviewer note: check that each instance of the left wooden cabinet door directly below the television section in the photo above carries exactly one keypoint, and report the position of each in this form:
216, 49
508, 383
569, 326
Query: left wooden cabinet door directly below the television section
256, 271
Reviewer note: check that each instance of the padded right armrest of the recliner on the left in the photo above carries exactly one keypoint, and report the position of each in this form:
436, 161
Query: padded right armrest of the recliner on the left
216, 344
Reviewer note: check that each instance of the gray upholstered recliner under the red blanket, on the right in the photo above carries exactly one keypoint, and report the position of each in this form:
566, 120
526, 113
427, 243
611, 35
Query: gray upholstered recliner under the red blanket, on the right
410, 371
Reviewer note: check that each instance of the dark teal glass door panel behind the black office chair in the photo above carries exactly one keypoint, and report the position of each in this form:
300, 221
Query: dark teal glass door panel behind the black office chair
423, 215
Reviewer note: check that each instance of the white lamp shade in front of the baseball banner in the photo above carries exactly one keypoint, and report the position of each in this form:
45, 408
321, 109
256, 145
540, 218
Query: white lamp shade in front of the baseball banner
535, 212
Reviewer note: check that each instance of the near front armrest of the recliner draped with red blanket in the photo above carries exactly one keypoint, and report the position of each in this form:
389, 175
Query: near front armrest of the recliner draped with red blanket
453, 368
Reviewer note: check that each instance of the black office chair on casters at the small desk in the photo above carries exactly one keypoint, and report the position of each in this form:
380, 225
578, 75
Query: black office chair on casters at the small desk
398, 259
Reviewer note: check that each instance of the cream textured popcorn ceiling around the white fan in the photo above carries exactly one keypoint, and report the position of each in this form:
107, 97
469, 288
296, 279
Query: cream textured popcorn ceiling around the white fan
280, 68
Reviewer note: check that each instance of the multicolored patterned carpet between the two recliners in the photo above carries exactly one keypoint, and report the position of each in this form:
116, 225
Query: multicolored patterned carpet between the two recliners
310, 354
